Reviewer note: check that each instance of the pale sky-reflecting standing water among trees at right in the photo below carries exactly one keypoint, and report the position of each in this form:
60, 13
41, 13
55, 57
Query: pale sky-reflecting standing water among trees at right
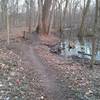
87, 49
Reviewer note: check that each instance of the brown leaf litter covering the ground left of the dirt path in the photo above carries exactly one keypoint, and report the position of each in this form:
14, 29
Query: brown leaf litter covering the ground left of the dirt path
16, 82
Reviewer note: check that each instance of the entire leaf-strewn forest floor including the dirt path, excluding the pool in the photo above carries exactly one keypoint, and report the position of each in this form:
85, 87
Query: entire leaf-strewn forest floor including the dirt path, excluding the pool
28, 71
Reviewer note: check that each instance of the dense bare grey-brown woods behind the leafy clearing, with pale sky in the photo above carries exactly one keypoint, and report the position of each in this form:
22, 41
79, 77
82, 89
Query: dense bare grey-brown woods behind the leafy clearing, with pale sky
79, 18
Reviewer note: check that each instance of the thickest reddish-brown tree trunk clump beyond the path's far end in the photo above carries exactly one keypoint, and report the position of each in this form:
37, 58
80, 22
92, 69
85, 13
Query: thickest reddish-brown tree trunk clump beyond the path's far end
43, 14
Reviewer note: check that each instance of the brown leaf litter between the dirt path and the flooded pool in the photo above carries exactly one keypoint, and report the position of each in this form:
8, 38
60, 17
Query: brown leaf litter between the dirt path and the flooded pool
77, 77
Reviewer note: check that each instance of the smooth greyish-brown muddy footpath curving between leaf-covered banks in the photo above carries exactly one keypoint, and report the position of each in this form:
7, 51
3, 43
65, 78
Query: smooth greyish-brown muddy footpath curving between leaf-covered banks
53, 88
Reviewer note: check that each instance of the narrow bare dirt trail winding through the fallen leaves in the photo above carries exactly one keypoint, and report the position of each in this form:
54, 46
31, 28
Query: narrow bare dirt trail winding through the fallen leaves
52, 88
